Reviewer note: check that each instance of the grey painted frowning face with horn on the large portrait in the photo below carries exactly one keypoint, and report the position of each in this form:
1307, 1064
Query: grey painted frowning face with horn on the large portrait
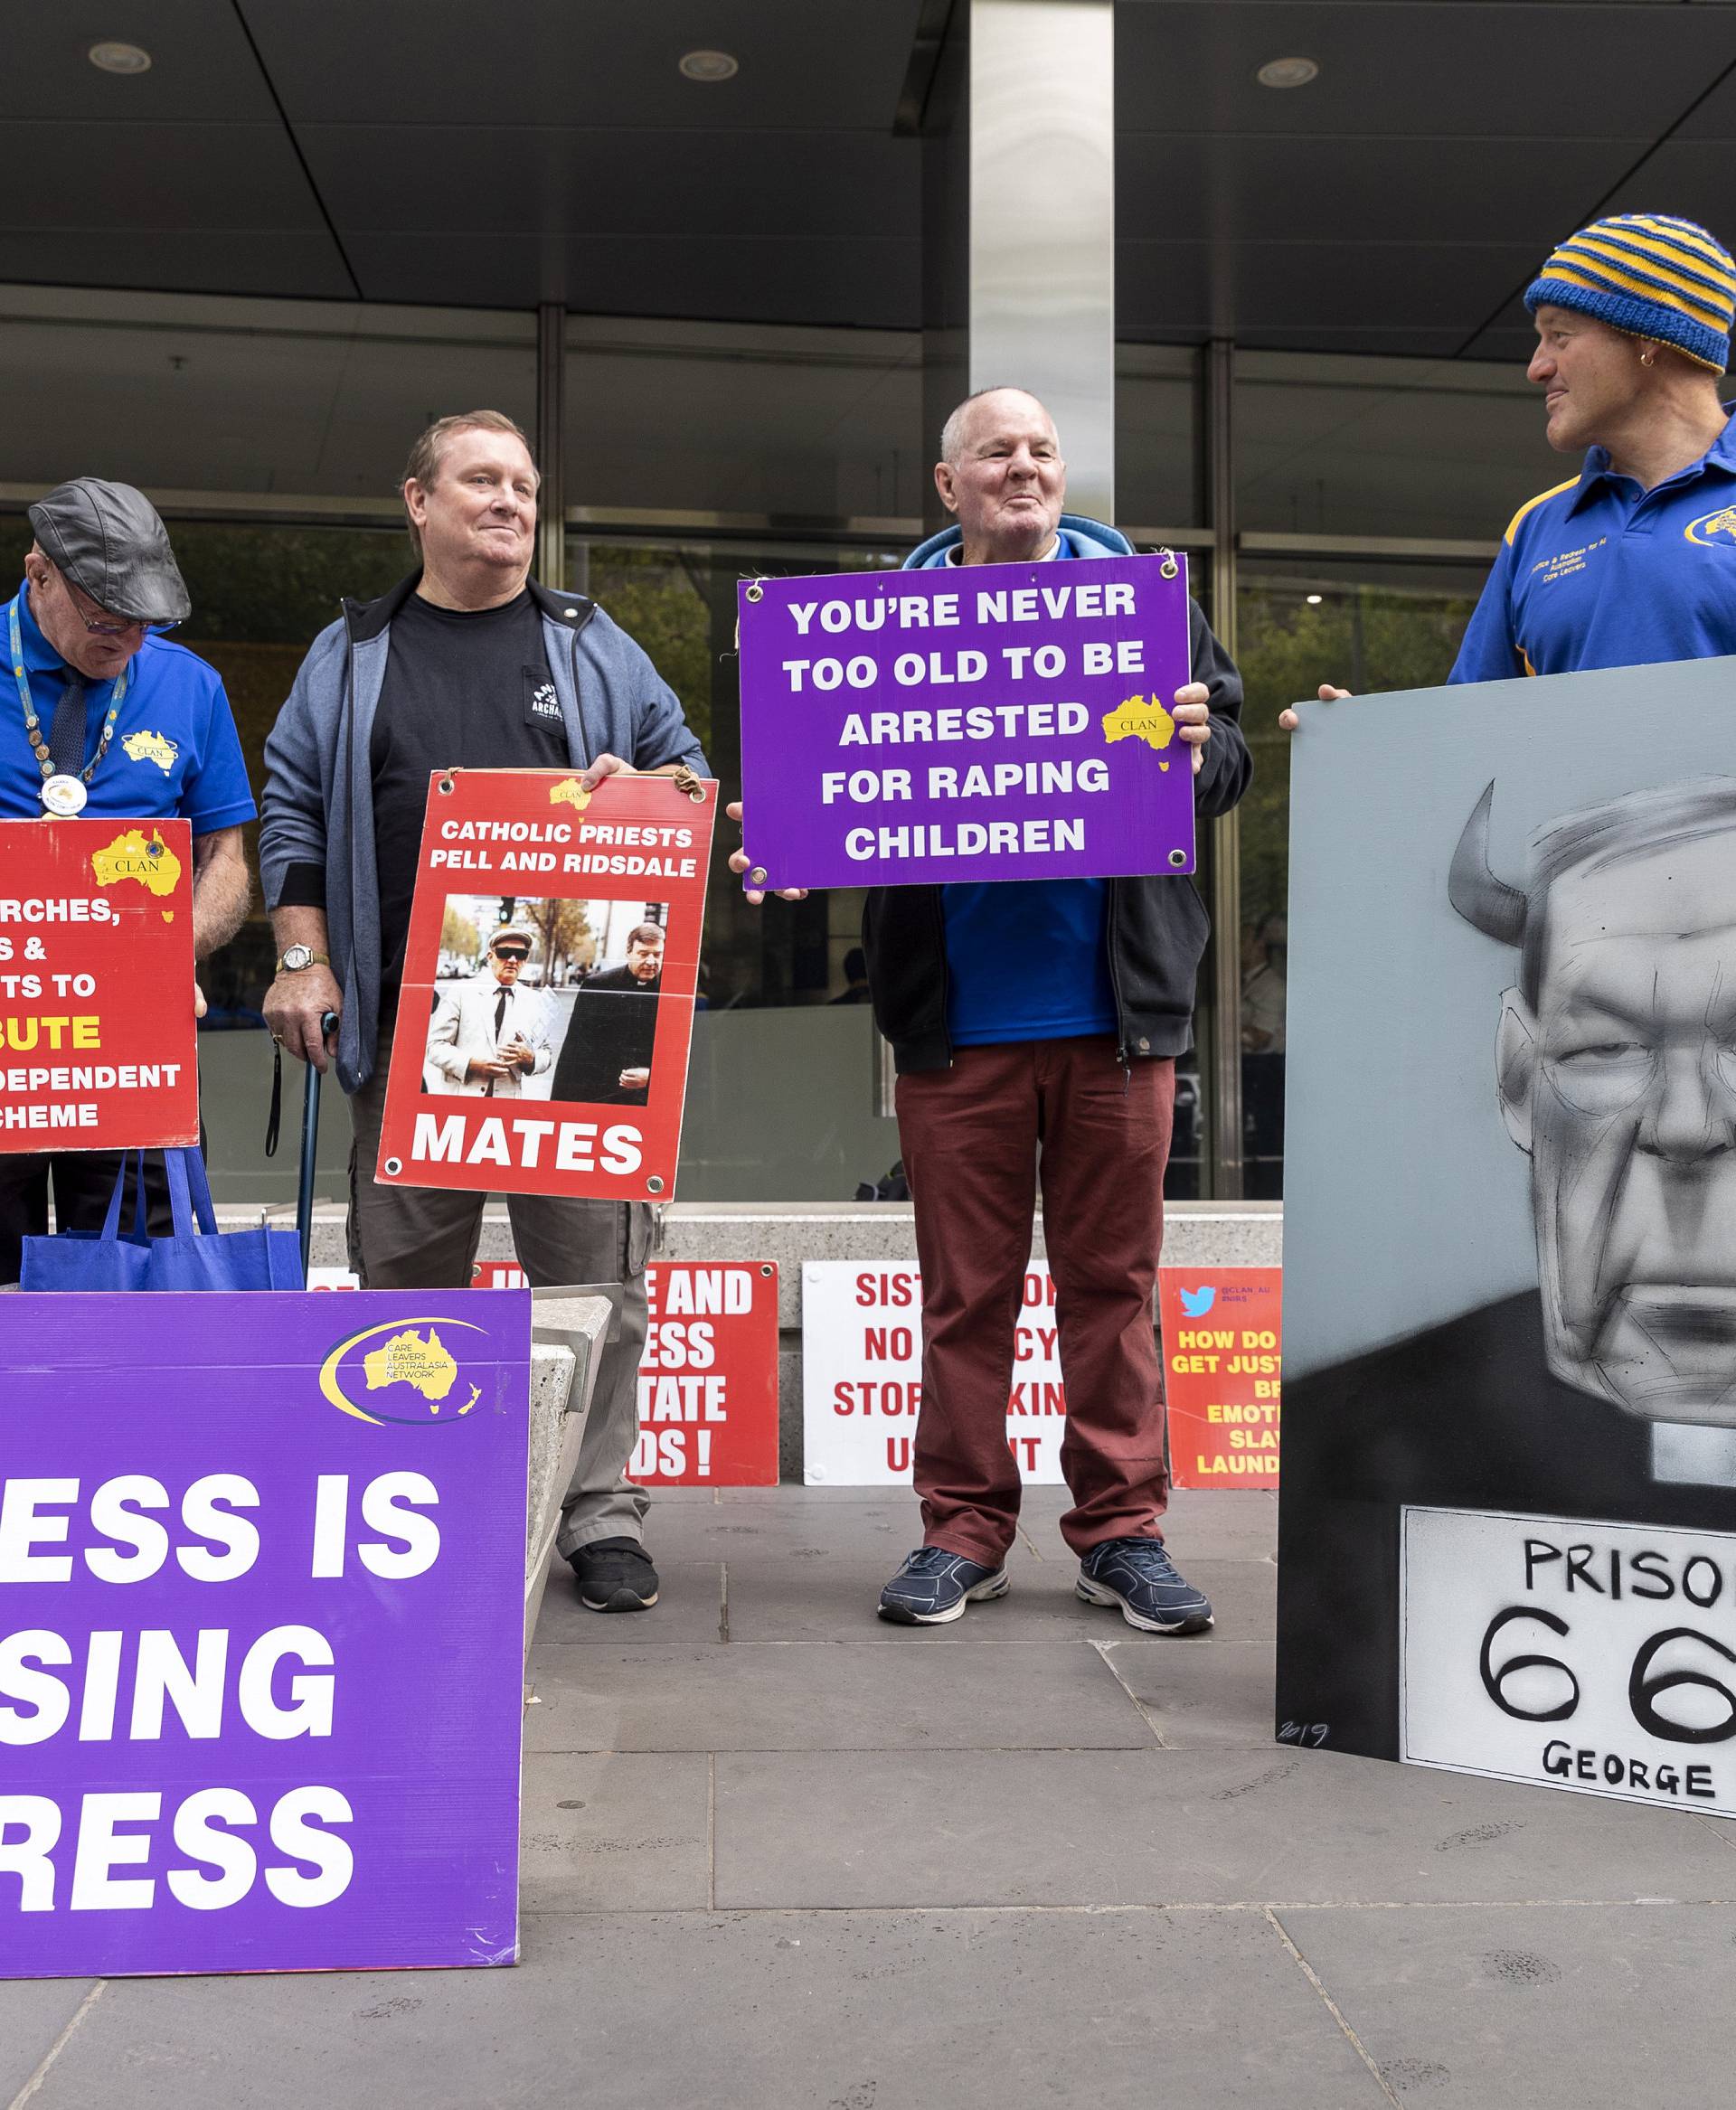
1617, 1069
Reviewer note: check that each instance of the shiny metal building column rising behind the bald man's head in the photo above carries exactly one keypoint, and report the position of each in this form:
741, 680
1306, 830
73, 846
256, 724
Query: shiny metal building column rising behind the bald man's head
1020, 225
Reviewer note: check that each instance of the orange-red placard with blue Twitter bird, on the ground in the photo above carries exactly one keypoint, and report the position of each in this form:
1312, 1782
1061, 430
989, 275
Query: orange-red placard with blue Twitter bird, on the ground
1222, 1337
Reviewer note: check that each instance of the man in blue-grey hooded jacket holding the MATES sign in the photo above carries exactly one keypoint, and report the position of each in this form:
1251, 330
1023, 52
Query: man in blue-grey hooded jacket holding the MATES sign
463, 666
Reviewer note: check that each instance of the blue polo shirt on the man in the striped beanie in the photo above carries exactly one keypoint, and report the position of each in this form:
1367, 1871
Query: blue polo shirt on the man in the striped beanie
1600, 573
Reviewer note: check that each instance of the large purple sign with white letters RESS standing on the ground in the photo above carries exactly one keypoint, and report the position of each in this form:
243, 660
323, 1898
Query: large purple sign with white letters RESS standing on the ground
261, 1630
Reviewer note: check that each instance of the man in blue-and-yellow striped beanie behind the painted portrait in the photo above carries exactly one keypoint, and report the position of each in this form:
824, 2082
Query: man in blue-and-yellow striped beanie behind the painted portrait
1636, 558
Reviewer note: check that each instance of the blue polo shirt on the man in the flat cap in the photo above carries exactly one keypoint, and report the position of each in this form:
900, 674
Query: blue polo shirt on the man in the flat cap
174, 752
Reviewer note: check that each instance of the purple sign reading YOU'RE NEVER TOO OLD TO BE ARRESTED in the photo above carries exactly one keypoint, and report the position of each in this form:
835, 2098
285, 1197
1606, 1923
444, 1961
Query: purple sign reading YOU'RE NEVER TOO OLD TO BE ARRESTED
988, 723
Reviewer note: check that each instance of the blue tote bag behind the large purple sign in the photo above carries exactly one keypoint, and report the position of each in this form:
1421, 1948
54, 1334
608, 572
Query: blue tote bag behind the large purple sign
197, 1257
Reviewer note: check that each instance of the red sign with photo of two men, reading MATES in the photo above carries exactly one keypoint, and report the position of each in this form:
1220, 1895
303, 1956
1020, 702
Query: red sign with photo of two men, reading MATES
577, 1086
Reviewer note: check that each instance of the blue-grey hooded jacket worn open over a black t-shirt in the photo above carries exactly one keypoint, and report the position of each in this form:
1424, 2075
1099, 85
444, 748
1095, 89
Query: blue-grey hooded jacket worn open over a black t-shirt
320, 780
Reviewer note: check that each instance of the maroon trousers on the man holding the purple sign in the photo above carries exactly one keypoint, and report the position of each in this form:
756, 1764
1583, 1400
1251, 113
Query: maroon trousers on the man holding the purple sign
978, 1140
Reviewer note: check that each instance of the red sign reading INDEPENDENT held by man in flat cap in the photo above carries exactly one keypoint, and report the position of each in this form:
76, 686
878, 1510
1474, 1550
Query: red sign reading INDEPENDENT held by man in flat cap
98, 1041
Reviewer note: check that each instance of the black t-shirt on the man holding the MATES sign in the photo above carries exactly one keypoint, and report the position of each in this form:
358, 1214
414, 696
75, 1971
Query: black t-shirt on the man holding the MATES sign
463, 691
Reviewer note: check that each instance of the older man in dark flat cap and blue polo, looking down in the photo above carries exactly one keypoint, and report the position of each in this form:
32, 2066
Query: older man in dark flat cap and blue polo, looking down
115, 723
